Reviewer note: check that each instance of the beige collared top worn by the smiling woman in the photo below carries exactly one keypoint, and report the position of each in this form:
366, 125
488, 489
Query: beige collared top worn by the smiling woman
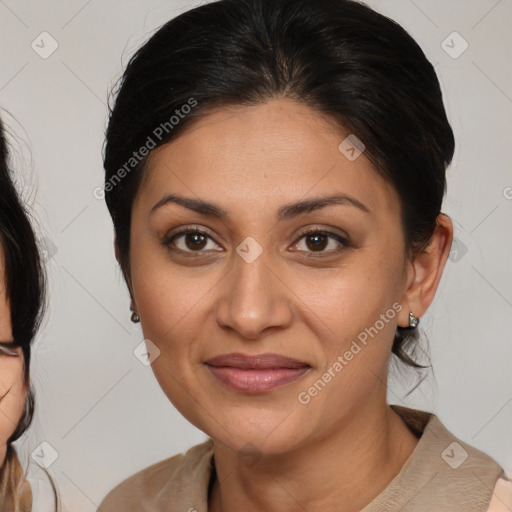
442, 474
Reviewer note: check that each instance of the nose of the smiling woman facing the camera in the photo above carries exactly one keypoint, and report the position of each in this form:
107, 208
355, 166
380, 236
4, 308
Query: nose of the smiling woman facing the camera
254, 298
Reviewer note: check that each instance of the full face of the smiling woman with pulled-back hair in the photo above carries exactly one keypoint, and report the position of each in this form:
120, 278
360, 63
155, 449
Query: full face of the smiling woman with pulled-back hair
253, 284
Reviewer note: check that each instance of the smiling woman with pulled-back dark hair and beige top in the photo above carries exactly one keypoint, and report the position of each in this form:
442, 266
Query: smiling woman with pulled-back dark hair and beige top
275, 172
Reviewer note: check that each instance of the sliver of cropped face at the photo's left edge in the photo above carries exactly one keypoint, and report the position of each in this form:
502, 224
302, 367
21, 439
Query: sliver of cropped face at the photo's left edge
12, 385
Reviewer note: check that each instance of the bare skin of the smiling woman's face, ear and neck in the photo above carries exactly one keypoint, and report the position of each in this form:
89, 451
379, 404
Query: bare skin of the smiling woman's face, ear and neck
341, 449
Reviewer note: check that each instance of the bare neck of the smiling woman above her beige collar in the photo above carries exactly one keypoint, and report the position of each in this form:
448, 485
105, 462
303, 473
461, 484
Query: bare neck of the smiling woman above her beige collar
345, 470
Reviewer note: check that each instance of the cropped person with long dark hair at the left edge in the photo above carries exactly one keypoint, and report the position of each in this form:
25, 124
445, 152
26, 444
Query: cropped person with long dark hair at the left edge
22, 300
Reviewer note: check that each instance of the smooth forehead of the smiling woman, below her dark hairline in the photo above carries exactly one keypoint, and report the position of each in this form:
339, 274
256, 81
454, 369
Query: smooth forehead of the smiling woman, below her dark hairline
261, 156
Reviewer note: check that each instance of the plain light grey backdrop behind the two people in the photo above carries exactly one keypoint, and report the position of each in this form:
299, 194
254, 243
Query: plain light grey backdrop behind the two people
98, 407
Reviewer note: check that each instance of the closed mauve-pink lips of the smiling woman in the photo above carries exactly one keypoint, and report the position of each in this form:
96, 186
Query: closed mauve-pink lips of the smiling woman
256, 374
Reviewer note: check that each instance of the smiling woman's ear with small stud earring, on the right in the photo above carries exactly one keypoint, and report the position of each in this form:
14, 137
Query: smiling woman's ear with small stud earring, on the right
425, 271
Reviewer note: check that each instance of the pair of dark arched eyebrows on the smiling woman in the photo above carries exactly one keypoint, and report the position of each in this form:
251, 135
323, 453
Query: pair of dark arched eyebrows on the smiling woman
285, 212
